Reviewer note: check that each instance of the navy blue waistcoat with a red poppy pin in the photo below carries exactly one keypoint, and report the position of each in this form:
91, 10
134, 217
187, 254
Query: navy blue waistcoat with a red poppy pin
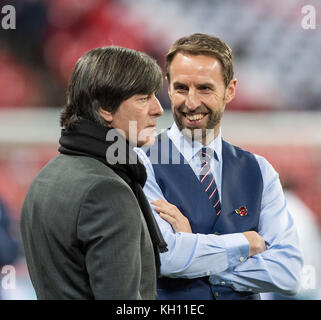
242, 185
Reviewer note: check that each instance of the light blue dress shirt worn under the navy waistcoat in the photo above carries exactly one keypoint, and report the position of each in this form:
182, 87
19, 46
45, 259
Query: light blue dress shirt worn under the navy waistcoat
224, 258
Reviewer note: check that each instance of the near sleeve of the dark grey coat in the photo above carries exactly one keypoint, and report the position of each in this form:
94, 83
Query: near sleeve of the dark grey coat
109, 229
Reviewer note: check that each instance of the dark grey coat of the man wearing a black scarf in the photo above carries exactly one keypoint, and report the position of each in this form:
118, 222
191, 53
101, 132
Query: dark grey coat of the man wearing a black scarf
84, 234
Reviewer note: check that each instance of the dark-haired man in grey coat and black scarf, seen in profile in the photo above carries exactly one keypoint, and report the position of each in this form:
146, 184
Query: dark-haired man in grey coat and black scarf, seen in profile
86, 225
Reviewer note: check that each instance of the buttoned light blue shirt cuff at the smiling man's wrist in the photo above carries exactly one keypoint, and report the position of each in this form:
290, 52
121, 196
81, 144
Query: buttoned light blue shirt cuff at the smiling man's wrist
237, 248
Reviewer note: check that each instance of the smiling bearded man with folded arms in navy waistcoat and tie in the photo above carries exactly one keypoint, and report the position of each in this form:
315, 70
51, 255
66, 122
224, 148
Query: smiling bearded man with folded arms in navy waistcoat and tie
221, 209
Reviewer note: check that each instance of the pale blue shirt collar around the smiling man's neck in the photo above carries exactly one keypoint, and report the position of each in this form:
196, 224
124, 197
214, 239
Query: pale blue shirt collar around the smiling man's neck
188, 148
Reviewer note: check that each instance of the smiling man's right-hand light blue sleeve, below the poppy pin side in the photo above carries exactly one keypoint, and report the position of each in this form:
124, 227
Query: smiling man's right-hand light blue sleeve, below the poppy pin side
278, 268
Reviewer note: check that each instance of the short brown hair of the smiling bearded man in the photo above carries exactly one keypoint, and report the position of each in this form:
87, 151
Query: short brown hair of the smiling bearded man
203, 44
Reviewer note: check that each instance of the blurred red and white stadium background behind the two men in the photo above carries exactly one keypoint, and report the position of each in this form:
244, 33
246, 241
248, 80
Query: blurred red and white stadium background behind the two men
276, 112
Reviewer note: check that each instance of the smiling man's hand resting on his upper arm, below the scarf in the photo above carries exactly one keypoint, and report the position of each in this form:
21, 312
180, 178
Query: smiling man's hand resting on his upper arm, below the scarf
172, 215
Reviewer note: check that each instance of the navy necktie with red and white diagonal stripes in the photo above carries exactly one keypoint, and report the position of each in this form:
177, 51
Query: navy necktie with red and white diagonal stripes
207, 179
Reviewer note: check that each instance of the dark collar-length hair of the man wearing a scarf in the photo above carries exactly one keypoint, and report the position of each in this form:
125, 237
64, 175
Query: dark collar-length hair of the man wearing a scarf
104, 78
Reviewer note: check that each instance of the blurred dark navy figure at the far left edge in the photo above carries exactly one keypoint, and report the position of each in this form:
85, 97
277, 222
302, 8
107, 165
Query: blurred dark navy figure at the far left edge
8, 245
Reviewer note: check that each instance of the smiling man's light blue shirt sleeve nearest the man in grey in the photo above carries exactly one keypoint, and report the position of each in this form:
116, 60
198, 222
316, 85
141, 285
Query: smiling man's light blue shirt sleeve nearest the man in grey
193, 255
